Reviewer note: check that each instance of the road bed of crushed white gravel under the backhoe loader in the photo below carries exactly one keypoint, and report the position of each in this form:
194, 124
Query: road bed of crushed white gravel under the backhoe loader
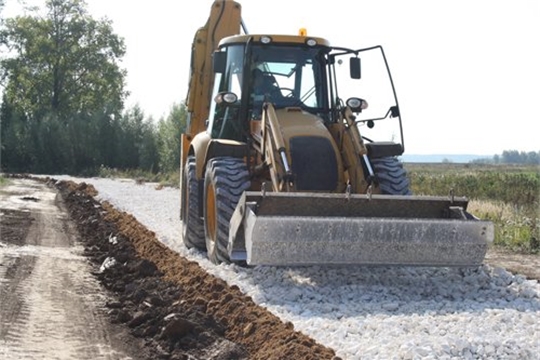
368, 312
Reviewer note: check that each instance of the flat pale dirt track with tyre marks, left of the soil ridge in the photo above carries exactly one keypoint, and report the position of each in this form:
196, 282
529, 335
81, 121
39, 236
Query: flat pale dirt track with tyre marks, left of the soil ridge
51, 306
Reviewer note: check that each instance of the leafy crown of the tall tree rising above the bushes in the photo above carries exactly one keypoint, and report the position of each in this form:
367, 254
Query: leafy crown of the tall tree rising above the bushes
65, 63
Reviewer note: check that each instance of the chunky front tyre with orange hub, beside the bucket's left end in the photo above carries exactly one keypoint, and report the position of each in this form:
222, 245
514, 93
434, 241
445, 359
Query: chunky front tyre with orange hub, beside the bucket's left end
225, 180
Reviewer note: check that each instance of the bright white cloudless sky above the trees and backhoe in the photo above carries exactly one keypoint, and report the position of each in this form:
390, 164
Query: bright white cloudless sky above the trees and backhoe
467, 72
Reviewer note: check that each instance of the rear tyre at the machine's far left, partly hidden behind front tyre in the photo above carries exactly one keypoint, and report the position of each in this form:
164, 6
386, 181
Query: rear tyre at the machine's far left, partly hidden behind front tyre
192, 223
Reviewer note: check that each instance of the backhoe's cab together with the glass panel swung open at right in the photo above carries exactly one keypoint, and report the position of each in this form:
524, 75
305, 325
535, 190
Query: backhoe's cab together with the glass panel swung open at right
302, 73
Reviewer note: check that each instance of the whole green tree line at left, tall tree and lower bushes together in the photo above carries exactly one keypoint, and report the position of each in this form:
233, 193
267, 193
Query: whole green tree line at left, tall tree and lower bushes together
62, 108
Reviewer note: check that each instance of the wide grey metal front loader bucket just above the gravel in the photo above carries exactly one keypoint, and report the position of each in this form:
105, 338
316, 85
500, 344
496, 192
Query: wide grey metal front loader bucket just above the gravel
315, 229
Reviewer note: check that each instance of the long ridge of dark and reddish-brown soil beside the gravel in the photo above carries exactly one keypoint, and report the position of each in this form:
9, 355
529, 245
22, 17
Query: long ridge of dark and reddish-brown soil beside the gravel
177, 309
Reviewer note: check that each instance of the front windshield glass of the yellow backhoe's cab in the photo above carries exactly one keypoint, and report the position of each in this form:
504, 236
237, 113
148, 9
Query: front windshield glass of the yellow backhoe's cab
289, 76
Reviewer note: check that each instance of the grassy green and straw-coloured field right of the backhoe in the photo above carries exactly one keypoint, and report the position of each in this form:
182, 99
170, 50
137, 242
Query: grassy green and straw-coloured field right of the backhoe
508, 195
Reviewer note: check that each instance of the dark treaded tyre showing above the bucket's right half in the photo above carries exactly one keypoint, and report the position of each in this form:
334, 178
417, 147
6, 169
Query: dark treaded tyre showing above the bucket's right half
391, 176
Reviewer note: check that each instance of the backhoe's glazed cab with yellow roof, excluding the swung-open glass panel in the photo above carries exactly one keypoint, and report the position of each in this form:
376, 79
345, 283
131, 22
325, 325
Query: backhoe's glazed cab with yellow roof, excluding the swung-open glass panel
287, 73
